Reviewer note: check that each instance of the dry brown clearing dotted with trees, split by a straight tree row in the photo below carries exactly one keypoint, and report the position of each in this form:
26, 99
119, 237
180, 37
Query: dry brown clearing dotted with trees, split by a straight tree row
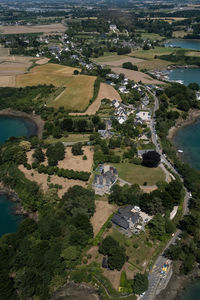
75, 163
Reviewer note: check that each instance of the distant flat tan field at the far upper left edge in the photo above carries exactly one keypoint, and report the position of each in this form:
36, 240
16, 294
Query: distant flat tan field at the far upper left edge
58, 27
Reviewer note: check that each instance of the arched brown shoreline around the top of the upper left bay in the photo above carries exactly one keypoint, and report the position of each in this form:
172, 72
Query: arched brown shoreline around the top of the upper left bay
33, 117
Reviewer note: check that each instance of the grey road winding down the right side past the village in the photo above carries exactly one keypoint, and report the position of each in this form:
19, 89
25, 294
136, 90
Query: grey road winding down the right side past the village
155, 275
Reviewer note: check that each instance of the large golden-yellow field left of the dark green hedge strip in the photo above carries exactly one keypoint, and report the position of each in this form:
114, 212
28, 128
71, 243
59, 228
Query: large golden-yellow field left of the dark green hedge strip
78, 90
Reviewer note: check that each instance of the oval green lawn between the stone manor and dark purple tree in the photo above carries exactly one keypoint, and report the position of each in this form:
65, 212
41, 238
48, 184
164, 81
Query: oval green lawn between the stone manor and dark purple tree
139, 174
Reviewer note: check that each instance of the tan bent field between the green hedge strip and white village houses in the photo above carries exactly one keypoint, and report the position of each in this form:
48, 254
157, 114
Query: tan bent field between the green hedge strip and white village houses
105, 91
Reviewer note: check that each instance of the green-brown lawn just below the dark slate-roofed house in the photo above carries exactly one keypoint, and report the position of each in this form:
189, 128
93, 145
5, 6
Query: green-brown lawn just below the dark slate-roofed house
138, 248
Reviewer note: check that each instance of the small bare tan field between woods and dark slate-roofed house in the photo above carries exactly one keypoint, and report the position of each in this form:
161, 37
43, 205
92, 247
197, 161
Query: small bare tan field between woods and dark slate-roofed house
103, 211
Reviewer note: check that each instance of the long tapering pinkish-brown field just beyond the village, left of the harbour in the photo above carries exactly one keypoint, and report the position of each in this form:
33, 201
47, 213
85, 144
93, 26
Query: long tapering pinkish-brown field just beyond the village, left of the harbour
137, 76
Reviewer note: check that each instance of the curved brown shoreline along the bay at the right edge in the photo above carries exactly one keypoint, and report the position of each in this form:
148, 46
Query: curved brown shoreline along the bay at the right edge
192, 117
